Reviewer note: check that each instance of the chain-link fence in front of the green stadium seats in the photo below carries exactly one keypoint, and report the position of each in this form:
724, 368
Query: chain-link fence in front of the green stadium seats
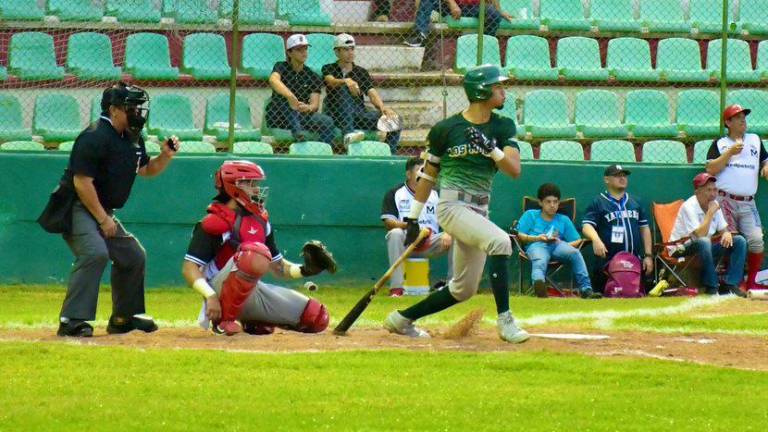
601, 80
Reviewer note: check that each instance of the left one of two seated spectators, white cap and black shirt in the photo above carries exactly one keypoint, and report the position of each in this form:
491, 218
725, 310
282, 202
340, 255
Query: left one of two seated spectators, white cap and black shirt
296, 95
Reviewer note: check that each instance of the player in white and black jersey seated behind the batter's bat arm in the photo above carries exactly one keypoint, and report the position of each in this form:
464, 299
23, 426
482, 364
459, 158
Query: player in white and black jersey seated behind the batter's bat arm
395, 207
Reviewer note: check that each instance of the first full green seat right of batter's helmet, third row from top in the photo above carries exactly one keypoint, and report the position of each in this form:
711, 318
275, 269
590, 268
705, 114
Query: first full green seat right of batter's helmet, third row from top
545, 114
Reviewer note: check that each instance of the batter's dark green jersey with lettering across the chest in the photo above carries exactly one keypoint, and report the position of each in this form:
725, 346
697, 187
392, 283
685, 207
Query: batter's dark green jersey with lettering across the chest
461, 166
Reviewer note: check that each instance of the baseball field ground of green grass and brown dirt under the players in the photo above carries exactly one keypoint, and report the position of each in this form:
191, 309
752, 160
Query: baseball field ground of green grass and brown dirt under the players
669, 364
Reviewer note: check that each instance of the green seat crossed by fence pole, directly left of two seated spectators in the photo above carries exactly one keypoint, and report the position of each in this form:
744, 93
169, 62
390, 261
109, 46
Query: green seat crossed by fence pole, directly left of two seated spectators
217, 119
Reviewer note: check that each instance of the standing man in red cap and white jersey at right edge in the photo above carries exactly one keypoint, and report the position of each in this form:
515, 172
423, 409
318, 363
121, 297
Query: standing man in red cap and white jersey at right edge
738, 160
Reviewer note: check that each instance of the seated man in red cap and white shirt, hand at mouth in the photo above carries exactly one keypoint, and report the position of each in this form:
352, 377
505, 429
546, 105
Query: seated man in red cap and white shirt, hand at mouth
699, 219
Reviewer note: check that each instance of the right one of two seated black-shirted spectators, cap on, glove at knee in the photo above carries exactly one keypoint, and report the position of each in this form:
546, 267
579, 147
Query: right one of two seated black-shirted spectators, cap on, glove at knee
348, 84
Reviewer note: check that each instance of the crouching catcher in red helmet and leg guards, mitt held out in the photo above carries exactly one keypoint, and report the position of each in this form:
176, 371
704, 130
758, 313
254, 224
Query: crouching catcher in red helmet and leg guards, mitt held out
233, 246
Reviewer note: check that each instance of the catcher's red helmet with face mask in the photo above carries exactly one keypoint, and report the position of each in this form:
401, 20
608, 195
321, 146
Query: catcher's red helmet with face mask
241, 180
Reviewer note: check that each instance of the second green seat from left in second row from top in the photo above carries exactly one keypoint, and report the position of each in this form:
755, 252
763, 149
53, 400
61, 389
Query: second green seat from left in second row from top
89, 56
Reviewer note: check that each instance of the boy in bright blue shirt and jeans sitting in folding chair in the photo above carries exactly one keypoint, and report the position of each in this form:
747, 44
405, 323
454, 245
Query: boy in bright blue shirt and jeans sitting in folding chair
550, 235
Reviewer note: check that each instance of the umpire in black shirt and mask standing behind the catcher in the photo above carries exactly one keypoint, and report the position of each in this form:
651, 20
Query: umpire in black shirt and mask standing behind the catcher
102, 167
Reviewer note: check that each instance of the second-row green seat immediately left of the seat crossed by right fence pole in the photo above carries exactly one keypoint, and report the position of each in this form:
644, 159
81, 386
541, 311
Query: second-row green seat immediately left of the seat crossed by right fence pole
679, 60
